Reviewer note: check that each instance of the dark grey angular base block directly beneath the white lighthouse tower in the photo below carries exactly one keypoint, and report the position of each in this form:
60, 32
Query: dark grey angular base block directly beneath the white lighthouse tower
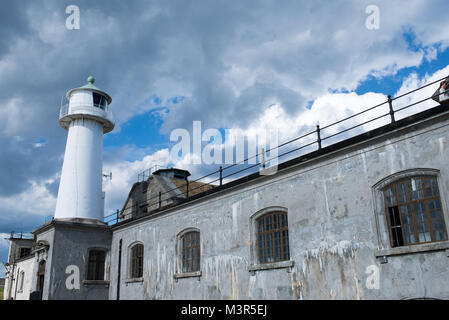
63, 247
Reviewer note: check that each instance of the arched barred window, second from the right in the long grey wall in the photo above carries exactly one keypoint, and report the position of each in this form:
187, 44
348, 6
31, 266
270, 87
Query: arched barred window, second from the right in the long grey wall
272, 237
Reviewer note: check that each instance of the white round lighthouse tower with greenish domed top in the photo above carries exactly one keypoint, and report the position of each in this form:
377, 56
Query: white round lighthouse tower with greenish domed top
86, 117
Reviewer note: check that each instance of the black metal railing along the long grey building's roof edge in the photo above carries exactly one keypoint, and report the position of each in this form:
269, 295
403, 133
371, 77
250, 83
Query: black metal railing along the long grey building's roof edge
220, 173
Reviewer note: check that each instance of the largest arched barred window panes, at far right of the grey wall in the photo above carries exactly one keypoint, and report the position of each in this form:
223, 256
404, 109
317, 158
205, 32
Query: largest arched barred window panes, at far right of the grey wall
414, 211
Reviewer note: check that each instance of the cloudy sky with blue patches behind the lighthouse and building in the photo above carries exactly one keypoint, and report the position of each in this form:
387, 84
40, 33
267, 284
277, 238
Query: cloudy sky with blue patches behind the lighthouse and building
240, 65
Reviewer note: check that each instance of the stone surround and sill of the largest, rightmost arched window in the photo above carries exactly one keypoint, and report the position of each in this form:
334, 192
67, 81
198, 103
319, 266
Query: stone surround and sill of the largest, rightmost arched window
382, 231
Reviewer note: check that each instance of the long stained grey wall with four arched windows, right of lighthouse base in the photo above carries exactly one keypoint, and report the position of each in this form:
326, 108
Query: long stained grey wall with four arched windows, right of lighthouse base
336, 231
